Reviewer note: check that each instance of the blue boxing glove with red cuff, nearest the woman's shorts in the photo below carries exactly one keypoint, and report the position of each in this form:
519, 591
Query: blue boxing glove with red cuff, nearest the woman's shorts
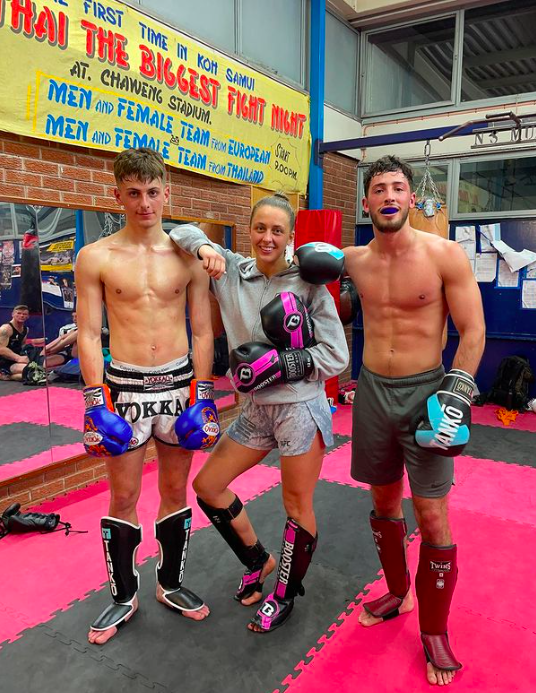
198, 427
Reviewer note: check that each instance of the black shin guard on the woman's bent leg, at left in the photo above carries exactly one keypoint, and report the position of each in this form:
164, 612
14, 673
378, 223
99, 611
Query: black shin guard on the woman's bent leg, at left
252, 557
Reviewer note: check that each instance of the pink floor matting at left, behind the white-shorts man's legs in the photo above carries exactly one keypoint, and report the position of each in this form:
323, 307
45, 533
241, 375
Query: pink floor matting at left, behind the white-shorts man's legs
53, 570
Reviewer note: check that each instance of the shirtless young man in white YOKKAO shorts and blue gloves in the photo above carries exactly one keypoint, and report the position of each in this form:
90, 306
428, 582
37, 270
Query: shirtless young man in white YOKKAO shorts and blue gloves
144, 281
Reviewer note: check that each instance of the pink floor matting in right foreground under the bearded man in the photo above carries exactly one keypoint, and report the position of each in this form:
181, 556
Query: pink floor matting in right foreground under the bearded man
493, 637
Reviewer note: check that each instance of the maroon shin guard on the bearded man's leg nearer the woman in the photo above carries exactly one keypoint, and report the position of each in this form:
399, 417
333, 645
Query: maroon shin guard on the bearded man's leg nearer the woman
390, 539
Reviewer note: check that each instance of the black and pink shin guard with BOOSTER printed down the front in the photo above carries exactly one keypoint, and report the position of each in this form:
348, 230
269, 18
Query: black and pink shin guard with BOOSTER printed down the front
296, 555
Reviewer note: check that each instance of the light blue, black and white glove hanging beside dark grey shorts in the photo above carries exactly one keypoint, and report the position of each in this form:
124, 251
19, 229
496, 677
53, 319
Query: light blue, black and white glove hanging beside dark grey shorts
445, 427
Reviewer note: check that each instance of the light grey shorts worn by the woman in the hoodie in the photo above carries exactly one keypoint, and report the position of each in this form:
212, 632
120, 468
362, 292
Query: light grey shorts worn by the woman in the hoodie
289, 427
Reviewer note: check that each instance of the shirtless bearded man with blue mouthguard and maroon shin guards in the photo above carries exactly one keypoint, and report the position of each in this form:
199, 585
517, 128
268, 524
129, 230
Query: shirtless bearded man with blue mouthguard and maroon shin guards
408, 282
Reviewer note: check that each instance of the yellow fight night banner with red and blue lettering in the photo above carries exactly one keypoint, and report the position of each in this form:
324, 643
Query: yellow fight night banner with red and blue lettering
100, 74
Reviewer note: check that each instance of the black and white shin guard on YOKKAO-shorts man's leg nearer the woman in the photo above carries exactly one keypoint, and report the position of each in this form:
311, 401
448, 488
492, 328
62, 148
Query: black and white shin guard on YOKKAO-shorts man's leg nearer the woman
172, 534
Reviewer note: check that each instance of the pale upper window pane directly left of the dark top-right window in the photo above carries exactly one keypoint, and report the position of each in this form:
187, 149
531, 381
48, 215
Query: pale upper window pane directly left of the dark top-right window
410, 66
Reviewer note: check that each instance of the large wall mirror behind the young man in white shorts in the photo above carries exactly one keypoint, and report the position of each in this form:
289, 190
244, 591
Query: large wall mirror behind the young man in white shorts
44, 421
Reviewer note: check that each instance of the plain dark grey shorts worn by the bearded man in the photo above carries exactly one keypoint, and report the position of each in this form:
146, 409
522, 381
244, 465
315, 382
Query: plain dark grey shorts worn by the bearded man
383, 423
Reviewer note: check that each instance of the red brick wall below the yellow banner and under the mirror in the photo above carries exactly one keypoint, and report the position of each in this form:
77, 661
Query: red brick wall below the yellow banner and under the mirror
47, 173
